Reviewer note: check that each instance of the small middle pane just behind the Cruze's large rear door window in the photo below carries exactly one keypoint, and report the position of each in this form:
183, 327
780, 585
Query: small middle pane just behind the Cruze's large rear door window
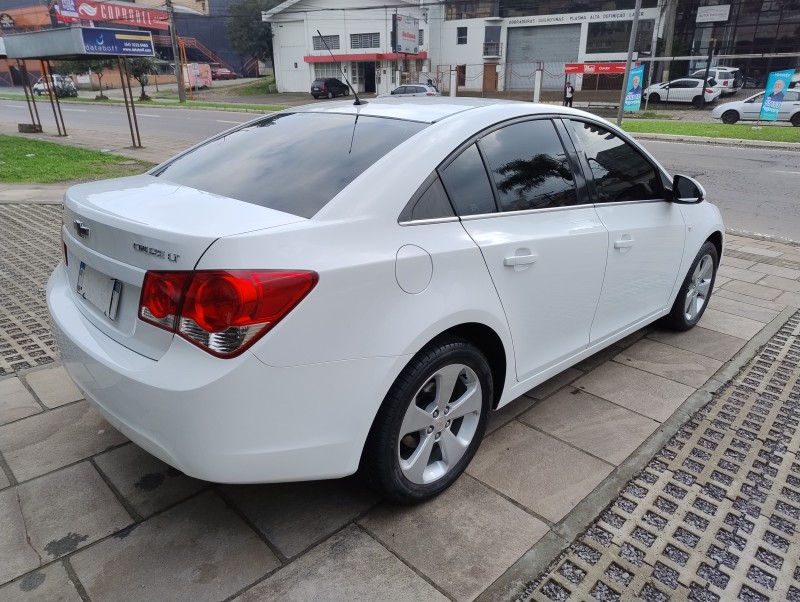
468, 185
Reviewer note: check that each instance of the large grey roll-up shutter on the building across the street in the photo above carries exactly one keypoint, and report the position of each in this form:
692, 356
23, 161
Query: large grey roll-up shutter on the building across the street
552, 45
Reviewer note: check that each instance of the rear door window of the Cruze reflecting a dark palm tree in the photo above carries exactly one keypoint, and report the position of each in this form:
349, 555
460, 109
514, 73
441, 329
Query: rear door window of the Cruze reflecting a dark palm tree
529, 167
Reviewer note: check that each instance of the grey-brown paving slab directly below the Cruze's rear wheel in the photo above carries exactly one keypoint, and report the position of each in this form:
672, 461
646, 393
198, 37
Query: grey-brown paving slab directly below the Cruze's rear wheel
440, 535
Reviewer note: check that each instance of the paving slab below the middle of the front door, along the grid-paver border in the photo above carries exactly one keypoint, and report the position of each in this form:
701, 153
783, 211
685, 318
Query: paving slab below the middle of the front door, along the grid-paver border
648, 394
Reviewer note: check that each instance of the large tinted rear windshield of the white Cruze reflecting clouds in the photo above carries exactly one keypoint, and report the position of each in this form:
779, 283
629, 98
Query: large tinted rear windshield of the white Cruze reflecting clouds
292, 162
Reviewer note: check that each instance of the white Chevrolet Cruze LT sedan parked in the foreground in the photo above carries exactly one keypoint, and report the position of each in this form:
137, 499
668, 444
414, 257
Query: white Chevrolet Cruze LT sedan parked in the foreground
259, 309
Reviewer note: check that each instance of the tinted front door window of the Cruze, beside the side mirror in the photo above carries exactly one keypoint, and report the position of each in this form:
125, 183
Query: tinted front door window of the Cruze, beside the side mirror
620, 172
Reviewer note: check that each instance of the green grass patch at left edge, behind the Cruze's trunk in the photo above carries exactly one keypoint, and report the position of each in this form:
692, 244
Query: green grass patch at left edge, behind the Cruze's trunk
35, 161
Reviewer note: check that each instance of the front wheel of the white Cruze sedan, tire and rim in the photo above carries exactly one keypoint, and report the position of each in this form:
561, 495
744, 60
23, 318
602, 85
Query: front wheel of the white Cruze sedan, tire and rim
690, 304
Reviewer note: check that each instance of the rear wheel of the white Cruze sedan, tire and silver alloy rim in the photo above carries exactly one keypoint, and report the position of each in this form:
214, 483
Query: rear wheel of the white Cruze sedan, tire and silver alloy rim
386, 444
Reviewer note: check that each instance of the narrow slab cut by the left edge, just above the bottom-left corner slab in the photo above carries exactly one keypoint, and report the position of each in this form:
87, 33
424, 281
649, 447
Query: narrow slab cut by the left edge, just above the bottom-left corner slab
18, 557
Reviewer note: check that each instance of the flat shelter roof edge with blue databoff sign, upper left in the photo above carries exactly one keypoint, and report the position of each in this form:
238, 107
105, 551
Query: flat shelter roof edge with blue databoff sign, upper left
79, 42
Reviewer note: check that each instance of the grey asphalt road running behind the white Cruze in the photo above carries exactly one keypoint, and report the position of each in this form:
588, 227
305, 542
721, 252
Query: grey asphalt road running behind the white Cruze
756, 189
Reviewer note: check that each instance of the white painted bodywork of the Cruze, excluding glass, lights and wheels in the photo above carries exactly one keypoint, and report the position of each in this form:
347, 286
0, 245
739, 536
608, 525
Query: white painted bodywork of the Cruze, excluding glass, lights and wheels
299, 403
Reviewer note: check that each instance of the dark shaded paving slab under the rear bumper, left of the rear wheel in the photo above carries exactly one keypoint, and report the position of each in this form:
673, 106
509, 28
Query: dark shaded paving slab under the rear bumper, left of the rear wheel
296, 516
